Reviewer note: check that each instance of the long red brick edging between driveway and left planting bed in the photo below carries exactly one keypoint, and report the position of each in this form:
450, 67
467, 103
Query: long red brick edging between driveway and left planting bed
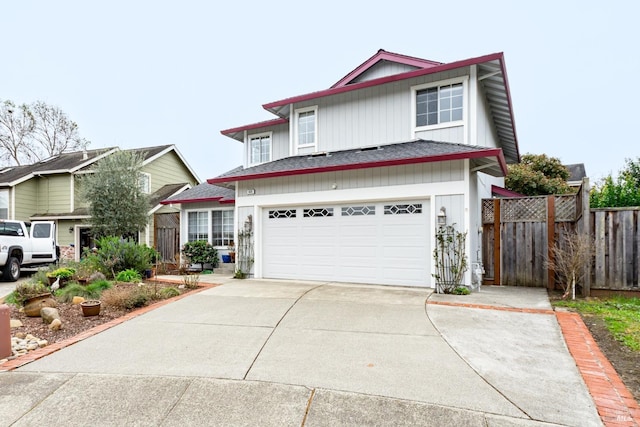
52, 348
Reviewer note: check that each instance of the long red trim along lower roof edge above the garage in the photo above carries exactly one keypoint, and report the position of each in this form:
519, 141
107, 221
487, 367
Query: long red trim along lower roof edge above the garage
497, 152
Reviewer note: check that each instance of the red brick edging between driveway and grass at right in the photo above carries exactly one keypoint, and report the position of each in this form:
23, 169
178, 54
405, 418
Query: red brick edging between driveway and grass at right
614, 402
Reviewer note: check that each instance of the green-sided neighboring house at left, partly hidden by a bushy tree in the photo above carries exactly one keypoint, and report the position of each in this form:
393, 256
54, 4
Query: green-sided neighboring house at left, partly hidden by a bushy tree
50, 190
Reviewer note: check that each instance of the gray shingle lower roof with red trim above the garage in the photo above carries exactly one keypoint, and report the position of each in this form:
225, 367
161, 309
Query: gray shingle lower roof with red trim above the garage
417, 151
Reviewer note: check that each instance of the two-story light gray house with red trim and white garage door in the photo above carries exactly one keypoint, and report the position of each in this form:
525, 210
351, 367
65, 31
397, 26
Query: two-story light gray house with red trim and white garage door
346, 184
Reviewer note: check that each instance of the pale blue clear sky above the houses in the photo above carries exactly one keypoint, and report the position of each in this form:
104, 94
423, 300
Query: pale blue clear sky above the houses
144, 73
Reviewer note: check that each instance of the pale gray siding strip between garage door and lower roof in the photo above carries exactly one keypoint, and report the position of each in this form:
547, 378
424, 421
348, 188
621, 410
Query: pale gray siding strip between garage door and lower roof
362, 178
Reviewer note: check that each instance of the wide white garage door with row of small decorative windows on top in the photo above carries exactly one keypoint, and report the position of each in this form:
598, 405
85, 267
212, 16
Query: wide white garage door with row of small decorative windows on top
380, 243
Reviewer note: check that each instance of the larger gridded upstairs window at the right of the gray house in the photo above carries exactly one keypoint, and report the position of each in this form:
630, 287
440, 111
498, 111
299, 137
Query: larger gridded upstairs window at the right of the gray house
439, 104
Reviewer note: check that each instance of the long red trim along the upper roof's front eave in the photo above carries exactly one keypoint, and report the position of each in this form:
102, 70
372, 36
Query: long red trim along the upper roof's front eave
389, 79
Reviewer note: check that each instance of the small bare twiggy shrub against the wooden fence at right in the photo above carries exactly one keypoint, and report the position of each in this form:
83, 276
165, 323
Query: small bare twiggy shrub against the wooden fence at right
570, 258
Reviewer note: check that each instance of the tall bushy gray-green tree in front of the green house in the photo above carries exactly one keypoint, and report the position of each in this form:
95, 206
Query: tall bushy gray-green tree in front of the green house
117, 204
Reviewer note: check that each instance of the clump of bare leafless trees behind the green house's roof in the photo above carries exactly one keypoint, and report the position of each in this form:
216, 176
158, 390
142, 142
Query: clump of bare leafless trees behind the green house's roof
30, 133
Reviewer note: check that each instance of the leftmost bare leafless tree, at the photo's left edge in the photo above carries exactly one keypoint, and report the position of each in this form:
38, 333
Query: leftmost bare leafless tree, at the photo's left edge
16, 127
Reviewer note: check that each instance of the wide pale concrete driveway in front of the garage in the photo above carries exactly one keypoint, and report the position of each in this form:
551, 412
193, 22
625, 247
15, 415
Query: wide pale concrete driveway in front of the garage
258, 352
